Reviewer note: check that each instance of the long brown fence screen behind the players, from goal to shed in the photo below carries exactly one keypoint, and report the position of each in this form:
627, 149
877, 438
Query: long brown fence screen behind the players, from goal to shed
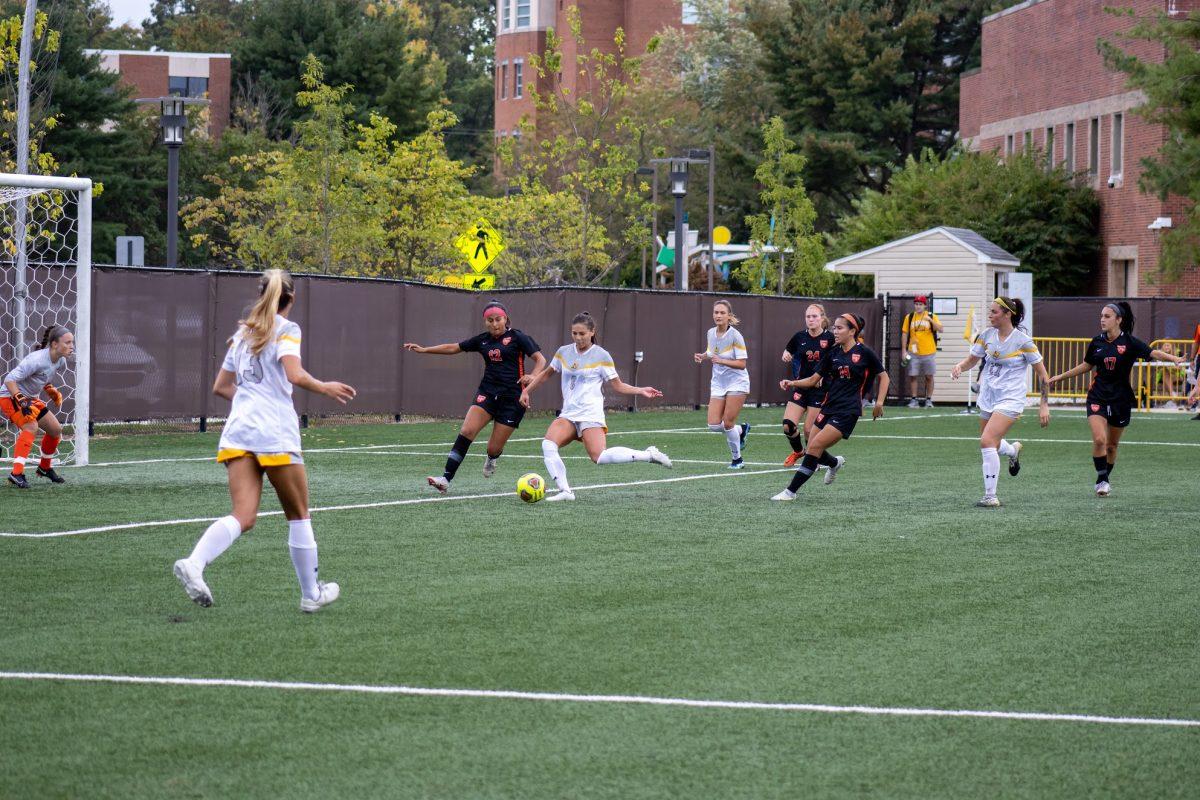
160, 335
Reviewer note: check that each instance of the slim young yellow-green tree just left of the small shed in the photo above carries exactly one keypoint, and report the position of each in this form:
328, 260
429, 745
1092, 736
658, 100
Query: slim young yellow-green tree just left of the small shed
788, 224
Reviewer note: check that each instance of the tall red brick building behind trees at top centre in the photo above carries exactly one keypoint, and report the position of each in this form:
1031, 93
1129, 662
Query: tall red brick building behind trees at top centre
521, 29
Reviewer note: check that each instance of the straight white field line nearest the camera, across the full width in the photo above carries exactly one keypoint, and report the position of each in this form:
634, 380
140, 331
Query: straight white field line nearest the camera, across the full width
615, 700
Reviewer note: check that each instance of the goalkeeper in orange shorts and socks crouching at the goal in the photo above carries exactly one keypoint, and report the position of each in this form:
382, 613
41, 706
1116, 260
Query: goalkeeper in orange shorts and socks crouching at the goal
22, 406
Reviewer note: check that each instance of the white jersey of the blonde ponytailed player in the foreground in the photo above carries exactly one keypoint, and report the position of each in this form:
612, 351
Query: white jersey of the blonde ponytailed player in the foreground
263, 419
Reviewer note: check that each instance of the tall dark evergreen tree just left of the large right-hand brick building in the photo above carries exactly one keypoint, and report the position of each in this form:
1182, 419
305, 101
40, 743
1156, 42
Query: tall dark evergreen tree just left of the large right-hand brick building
867, 83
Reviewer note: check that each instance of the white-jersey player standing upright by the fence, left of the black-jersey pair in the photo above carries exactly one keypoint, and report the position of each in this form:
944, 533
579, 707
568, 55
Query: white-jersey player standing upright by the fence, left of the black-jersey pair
728, 392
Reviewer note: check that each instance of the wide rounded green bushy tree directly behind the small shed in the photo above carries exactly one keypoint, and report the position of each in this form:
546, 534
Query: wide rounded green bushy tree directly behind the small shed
1046, 219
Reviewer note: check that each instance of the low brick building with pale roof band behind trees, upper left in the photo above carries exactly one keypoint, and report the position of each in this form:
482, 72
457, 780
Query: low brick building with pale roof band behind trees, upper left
193, 75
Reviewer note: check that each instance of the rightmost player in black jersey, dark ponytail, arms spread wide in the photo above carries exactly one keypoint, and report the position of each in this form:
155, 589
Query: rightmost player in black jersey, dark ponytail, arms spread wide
1111, 398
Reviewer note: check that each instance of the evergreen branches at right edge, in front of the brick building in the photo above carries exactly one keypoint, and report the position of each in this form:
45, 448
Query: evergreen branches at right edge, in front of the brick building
1173, 100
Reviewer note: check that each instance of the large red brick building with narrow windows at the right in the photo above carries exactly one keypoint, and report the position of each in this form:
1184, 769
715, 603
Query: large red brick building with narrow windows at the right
1043, 85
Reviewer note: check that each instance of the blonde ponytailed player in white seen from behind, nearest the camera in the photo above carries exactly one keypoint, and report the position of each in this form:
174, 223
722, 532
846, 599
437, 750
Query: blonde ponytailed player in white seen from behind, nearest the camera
262, 437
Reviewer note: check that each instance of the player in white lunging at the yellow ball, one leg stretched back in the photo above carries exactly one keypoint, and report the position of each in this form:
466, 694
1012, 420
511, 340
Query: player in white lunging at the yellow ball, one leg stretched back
586, 368
